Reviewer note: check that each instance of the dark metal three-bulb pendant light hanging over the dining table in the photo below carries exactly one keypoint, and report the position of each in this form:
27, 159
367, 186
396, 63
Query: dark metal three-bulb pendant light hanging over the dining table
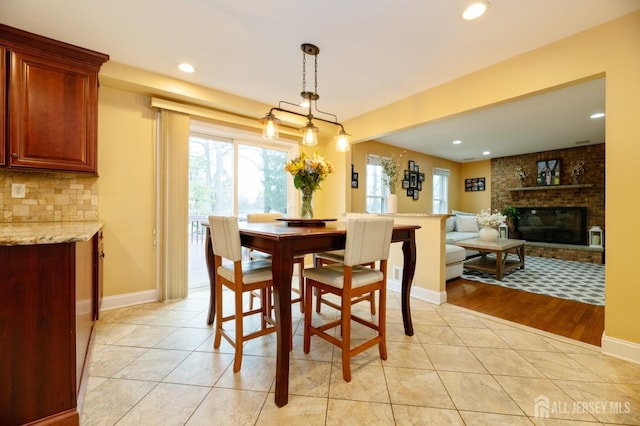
309, 101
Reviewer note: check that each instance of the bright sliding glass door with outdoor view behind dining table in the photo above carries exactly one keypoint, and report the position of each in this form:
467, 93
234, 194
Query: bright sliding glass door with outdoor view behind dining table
230, 175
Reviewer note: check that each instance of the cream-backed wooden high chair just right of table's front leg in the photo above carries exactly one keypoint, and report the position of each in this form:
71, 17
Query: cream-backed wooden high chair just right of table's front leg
367, 240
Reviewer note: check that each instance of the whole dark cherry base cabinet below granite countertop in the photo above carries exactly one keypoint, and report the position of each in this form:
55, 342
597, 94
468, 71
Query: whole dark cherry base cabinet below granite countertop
48, 296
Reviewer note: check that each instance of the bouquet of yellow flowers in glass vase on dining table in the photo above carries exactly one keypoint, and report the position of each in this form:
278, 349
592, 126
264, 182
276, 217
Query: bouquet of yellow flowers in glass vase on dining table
308, 173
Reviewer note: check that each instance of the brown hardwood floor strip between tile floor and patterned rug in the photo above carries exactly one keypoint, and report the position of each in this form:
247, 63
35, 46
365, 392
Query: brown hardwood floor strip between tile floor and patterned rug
576, 320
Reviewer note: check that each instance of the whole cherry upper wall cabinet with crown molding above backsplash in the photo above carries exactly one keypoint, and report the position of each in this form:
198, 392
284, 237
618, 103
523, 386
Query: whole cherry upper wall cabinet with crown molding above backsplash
50, 117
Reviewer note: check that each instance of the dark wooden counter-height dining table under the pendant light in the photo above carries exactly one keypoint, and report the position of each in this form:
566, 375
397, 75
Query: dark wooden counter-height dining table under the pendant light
284, 242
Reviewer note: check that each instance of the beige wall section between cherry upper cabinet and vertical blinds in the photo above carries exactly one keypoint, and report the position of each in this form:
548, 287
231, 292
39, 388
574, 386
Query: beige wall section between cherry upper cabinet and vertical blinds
127, 194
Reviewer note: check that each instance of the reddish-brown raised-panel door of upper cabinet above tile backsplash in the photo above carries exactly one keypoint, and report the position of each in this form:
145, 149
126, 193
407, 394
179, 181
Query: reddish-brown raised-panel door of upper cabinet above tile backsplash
52, 123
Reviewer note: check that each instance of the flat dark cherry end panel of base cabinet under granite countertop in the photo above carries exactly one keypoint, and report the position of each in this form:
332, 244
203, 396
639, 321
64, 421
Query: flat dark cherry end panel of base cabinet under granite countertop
37, 332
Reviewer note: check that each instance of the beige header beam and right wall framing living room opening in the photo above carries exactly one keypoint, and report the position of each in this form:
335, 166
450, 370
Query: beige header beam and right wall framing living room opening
611, 49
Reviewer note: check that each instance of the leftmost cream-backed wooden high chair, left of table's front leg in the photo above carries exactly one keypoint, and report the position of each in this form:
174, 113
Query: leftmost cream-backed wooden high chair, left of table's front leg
240, 277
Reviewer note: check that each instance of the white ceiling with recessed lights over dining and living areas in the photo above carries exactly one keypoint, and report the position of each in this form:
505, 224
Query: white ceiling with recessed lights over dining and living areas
372, 53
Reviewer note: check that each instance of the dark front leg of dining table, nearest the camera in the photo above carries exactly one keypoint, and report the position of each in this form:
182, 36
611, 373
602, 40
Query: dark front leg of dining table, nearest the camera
282, 271
